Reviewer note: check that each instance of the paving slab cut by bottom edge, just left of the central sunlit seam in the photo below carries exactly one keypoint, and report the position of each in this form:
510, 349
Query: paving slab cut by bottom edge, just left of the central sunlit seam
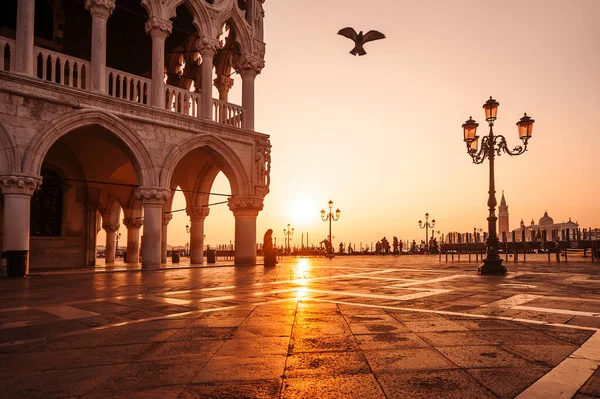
259, 389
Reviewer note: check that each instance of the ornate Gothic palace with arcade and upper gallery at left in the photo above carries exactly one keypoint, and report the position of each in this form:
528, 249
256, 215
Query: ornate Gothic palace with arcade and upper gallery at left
108, 105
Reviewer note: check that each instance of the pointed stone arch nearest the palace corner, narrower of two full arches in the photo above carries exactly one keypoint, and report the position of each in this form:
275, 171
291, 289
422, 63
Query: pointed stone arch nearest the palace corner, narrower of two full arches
232, 165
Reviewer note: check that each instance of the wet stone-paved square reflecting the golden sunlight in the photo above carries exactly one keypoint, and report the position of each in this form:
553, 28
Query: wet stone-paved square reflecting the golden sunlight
351, 327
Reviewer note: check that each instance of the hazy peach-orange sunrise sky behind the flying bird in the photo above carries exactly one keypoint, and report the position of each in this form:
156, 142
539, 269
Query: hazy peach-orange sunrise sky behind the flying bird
381, 135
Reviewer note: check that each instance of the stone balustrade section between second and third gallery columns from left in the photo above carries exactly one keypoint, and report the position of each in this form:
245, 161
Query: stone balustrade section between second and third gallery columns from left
127, 87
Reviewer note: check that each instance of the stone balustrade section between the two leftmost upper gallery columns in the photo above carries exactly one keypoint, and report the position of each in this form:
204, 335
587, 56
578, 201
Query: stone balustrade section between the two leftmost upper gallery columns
62, 69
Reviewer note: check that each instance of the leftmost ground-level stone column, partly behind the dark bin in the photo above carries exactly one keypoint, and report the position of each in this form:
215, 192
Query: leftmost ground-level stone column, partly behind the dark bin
17, 190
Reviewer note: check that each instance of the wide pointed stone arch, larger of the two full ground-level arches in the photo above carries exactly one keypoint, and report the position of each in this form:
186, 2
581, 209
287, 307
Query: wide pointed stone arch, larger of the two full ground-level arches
51, 132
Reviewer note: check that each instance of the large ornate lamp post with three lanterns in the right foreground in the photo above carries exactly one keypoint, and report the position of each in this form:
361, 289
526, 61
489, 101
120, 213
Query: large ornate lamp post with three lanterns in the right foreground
492, 146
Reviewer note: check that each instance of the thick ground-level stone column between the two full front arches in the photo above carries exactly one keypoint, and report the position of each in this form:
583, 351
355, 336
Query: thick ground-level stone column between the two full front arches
152, 199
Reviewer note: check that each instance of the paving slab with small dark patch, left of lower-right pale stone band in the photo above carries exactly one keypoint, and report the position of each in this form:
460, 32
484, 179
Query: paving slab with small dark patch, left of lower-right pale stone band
483, 356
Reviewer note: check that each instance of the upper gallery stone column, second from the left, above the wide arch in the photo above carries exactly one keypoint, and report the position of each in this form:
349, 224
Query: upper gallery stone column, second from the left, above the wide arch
100, 10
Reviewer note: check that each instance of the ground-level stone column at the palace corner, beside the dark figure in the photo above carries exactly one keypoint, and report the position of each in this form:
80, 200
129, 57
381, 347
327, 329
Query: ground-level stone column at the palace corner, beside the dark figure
245, 210
